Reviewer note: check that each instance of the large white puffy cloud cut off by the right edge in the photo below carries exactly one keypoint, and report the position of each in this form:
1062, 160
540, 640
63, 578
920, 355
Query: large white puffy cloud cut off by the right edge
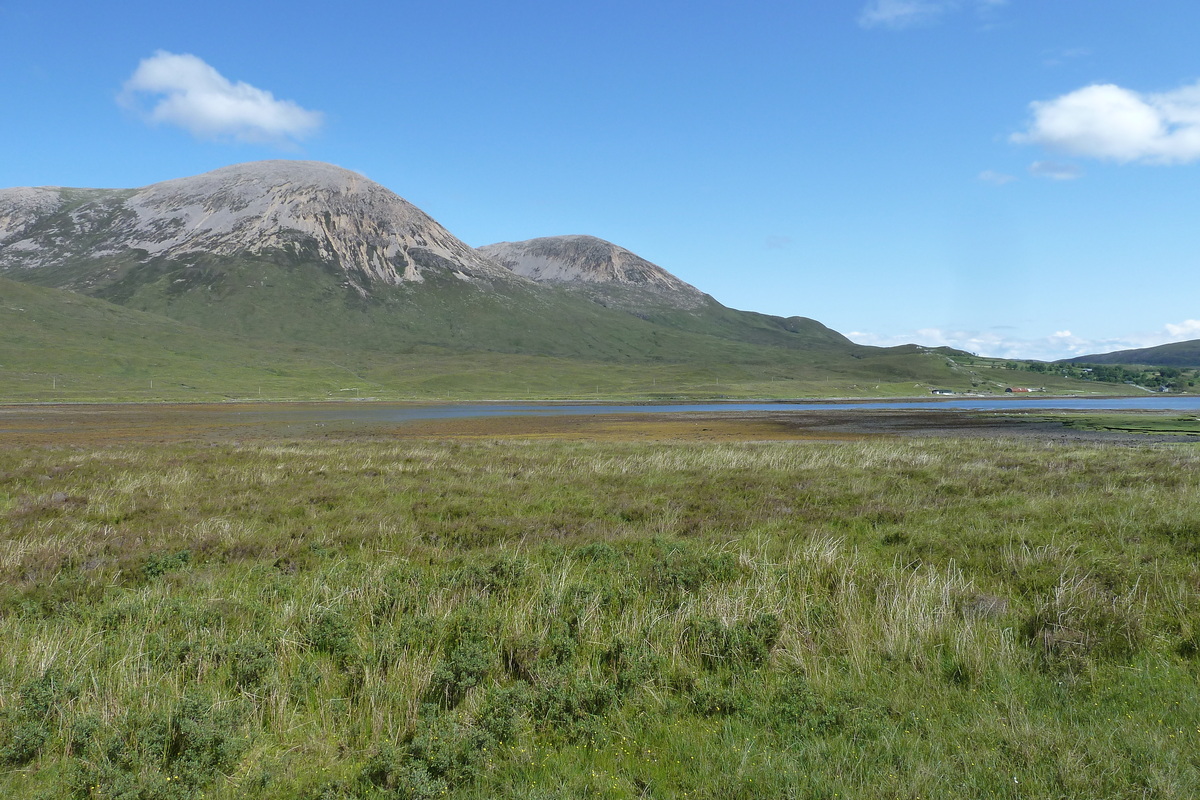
1113, 124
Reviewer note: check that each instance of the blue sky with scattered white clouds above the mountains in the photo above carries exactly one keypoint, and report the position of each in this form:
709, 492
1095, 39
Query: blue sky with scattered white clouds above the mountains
1016, 178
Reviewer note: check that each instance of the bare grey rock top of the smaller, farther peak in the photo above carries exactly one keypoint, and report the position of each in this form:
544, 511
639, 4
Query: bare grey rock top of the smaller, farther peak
587, 262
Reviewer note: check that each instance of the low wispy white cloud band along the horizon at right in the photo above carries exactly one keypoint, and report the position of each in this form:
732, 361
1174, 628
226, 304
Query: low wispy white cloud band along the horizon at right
1000, 342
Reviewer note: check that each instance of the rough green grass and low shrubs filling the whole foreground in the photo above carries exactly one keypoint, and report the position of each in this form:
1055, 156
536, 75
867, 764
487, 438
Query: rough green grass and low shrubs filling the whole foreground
377, 619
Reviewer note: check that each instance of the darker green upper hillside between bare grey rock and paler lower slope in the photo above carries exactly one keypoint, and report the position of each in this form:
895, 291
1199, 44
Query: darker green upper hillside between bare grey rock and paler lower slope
281, 299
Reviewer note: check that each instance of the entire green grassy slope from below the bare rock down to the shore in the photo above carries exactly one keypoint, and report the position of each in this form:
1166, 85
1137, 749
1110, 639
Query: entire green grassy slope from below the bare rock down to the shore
219, 330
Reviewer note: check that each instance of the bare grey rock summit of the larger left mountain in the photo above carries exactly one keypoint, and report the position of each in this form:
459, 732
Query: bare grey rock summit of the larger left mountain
287, 208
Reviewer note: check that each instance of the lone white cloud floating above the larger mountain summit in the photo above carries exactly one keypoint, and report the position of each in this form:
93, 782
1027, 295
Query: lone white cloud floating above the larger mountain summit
185, 92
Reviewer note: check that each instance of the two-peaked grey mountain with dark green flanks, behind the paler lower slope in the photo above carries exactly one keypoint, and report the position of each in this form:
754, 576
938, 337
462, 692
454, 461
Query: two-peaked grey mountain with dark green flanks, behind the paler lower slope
320, 260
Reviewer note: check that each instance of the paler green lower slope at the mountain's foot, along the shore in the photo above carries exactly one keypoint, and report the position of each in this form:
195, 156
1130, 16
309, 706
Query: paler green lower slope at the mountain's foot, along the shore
59, 346
